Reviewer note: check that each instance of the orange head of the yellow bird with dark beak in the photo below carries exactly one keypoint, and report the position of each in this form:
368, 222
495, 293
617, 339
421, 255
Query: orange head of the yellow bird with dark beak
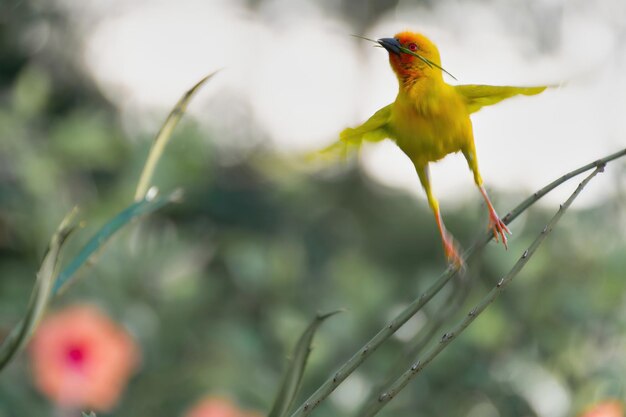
405, 50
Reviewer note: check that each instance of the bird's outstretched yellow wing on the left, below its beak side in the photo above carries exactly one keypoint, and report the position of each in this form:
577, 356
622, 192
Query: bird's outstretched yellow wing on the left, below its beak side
373, 130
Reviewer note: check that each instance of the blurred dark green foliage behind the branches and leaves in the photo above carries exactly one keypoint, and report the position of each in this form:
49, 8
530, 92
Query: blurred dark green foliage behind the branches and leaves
217, 289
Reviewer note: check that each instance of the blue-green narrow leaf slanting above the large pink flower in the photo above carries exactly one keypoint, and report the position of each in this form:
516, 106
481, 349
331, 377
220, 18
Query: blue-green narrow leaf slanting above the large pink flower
106, 232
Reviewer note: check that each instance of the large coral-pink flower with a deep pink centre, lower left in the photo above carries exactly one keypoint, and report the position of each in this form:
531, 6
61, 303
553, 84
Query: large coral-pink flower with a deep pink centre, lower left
80, 358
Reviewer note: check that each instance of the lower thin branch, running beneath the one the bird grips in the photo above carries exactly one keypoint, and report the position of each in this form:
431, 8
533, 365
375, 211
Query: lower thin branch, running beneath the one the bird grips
448, 337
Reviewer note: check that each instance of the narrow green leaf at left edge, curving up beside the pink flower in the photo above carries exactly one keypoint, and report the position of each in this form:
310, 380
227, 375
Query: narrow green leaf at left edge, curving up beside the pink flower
41, 295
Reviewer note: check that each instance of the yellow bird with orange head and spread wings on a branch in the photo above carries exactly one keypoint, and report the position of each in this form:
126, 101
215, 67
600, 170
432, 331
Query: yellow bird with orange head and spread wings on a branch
430, 119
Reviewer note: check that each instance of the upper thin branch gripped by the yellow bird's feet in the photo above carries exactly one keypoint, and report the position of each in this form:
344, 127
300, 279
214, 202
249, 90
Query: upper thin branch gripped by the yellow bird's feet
364, 352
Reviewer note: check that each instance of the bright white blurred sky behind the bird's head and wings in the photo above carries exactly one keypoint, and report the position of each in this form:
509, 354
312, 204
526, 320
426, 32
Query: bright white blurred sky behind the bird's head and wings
292, 68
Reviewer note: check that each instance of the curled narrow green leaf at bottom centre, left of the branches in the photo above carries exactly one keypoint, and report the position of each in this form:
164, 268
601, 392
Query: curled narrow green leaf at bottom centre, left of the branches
293, 377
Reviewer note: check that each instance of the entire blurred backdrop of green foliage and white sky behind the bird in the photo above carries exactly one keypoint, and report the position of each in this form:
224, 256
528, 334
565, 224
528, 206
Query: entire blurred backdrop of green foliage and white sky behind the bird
216, 289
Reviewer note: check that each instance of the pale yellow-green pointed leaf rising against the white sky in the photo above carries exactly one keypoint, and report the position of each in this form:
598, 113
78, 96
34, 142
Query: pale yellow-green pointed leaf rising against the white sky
163, 137
